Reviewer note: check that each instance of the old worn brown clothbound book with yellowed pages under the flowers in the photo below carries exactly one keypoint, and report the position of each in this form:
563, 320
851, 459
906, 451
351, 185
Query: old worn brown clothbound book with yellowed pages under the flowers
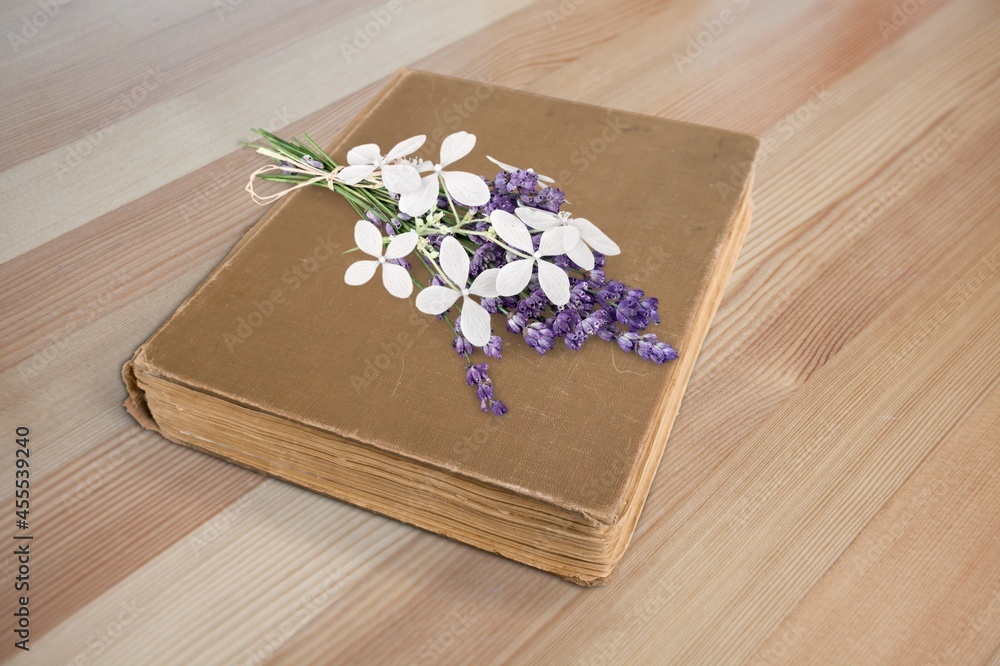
274, 363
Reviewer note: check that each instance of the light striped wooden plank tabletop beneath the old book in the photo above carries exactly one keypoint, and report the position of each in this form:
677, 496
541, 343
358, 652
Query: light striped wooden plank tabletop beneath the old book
830, 493
